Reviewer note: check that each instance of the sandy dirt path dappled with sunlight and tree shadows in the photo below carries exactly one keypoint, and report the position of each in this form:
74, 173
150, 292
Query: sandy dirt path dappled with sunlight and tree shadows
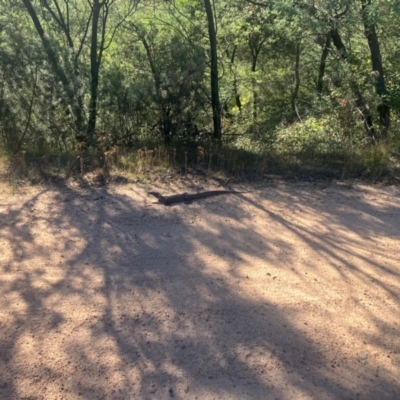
289, 292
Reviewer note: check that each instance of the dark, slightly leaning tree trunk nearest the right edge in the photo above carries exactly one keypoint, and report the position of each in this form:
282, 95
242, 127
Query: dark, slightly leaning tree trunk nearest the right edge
377, 67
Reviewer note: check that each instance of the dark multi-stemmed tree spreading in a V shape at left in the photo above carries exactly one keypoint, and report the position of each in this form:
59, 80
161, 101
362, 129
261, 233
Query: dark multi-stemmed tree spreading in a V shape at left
96, 17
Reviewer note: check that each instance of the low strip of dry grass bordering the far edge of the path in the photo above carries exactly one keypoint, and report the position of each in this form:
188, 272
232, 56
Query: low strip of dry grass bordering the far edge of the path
380, 162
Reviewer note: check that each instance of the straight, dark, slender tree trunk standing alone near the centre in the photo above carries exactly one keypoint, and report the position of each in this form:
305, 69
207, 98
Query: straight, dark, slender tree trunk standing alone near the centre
215, 101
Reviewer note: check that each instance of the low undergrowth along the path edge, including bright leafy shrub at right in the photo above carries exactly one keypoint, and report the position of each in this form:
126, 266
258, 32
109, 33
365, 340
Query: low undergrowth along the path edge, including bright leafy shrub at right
309, 150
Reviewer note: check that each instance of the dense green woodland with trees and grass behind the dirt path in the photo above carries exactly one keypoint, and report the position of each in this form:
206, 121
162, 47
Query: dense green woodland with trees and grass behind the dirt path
242, 87
